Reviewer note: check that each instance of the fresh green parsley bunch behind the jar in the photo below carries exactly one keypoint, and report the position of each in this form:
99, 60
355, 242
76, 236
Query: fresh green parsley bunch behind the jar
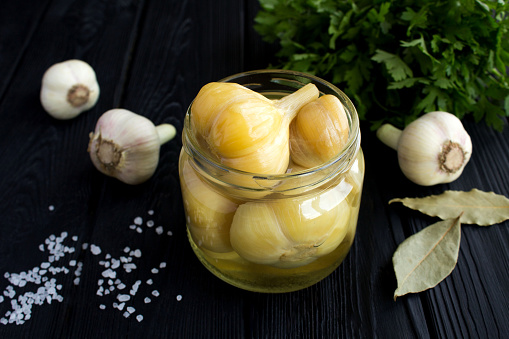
398, 59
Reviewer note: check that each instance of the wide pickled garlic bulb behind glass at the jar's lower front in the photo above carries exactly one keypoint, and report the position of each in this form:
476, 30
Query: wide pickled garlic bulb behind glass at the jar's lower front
291, 232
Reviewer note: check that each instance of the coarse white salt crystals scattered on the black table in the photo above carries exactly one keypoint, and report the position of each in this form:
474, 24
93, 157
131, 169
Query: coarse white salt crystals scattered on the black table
48, 288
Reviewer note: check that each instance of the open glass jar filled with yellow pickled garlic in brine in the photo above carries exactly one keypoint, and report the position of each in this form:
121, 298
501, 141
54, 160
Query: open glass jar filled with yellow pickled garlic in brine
272, 233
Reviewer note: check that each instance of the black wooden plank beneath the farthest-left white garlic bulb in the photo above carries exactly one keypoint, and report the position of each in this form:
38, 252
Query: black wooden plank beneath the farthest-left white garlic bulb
45, 163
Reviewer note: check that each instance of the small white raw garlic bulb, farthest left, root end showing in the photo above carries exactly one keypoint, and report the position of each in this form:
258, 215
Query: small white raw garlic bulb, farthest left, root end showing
69, 88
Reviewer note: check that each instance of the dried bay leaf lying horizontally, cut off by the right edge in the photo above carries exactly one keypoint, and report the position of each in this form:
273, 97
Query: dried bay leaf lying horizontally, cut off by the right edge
478, 207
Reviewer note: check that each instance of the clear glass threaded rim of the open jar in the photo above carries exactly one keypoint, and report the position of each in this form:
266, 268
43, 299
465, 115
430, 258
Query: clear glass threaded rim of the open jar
291, 79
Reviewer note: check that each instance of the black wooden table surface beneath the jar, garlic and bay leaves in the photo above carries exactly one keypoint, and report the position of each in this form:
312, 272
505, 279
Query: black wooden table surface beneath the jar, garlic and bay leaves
83, 255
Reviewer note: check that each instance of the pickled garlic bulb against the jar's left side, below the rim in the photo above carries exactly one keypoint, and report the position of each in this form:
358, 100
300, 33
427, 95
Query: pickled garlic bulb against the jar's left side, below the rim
209, 214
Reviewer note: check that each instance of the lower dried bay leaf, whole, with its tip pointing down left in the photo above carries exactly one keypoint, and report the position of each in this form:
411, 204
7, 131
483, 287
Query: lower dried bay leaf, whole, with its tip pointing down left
426, 258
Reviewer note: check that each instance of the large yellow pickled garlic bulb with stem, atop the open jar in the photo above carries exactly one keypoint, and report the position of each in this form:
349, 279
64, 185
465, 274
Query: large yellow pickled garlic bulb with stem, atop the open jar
245, 130
